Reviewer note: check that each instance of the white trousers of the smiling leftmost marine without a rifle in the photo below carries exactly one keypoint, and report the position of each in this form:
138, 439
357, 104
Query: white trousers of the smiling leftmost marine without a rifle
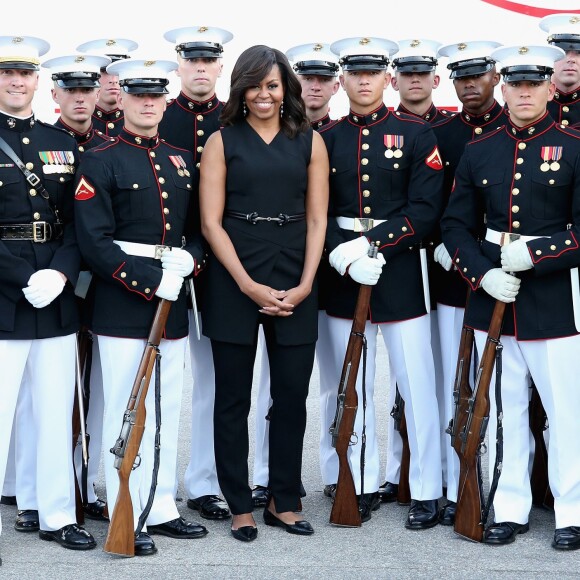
47, 366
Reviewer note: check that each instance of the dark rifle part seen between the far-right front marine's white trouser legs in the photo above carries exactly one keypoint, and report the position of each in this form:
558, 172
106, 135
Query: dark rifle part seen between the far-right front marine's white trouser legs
541, 493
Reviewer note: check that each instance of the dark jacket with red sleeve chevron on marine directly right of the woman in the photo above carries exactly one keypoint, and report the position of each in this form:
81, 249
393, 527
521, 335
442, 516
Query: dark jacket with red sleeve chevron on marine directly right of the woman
406, 191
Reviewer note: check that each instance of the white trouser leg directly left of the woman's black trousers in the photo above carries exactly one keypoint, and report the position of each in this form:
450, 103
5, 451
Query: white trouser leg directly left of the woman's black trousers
201, 475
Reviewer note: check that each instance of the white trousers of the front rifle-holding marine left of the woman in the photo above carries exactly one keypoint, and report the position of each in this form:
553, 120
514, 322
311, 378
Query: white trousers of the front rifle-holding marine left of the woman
120, 358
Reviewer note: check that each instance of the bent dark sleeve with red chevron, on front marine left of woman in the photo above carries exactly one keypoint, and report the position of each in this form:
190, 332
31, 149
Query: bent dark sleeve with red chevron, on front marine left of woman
95, 226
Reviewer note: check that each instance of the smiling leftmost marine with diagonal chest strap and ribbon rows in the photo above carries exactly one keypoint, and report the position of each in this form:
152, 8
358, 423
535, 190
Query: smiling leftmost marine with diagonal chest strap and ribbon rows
38, 313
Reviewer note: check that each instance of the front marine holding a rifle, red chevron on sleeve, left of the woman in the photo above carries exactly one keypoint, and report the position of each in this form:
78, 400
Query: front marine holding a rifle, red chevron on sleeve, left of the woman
136, 228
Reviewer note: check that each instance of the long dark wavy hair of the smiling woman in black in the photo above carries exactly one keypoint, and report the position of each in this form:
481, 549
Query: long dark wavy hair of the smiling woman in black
252, 66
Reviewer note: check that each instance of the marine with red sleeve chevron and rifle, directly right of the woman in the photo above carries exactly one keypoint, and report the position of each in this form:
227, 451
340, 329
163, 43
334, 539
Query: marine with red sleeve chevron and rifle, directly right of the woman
385, 186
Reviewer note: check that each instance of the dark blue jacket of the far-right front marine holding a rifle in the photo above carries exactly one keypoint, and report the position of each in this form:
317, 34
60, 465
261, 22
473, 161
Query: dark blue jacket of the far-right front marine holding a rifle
500, 177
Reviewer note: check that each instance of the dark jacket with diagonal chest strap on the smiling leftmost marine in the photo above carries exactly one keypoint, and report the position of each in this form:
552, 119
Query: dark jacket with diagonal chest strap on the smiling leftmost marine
52, 155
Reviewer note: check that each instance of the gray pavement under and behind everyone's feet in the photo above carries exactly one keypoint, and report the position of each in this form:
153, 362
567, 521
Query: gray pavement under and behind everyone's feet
382, 548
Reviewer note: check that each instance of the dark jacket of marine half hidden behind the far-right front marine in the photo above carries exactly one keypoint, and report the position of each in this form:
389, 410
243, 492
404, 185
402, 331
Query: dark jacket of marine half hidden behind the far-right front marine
452, 135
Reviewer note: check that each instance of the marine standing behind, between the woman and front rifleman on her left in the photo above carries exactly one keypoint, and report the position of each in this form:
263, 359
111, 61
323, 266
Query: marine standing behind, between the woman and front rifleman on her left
189, 120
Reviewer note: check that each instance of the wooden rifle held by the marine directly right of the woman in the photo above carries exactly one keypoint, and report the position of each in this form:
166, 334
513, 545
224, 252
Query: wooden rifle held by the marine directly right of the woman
345, 509
